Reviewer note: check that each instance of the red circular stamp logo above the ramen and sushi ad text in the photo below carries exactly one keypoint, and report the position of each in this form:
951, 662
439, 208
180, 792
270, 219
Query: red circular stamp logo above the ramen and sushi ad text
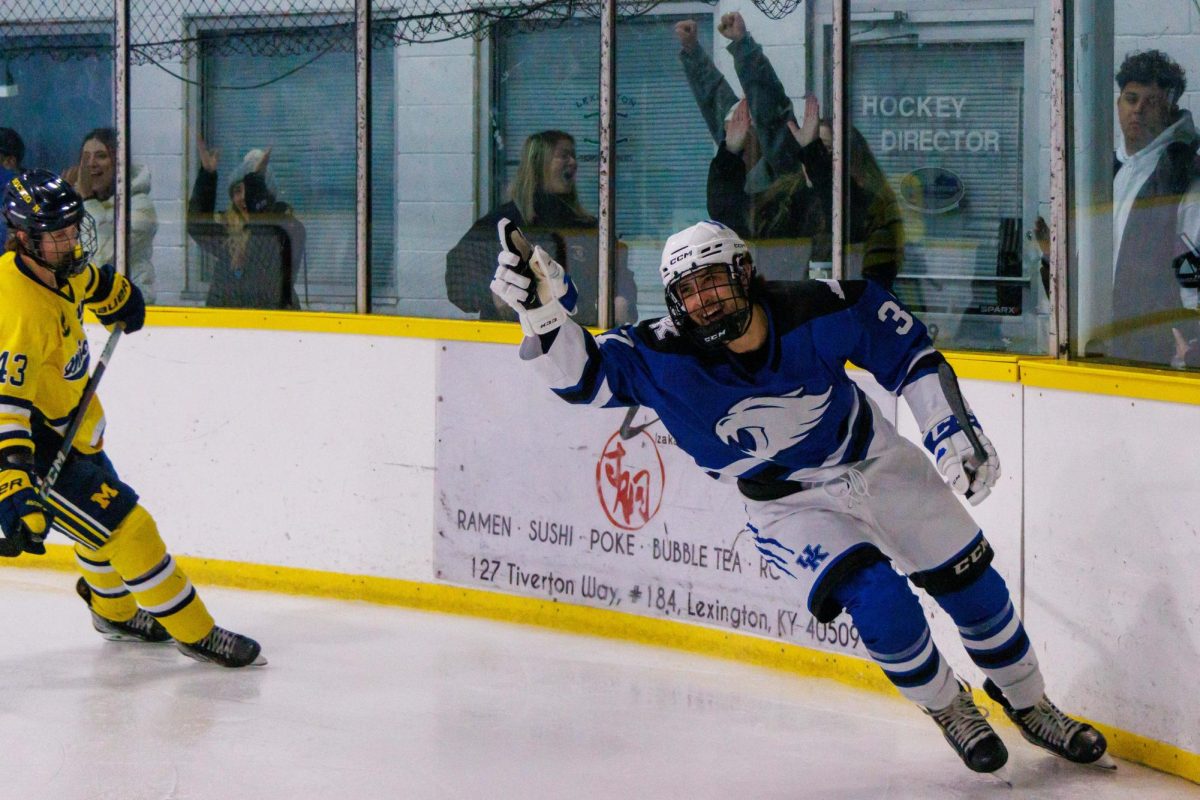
629, 480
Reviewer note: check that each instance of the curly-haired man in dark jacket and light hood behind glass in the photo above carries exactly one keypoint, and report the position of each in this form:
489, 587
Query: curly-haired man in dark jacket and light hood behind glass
1156, 210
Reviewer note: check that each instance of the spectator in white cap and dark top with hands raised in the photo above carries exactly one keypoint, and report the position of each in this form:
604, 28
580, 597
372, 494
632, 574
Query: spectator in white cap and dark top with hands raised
257, 244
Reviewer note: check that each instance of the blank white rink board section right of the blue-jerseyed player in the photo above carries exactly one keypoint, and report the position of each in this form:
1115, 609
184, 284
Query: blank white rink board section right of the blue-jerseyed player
1113, 590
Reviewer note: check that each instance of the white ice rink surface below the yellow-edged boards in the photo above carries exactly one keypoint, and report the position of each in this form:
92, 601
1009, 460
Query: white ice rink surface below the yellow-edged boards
363, 702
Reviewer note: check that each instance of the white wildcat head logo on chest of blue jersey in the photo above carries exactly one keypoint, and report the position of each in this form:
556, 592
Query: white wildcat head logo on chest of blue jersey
766, 426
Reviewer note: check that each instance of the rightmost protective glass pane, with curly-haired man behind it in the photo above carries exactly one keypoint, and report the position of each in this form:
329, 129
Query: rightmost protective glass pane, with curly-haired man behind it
1137, 213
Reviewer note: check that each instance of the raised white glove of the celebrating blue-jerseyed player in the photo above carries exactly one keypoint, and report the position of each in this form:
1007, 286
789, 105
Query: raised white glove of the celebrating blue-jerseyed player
533, 284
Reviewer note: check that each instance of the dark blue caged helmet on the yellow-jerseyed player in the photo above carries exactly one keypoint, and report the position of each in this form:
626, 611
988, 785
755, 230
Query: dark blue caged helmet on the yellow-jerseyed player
38, 202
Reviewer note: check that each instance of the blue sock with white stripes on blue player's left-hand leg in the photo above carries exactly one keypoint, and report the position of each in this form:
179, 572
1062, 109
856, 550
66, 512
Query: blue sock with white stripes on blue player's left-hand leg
893, 629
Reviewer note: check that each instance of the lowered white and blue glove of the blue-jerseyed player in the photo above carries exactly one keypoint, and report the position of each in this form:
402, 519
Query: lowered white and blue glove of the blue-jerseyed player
969, 471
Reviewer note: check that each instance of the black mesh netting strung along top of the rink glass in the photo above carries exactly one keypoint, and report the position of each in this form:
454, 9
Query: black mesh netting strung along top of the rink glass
164, 31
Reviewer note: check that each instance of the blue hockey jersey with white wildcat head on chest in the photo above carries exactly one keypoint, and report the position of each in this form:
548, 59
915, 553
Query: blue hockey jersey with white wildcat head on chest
788, 412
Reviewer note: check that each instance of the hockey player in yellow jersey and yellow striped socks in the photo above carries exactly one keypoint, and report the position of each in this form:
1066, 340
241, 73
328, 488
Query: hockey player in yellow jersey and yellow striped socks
131, 584
